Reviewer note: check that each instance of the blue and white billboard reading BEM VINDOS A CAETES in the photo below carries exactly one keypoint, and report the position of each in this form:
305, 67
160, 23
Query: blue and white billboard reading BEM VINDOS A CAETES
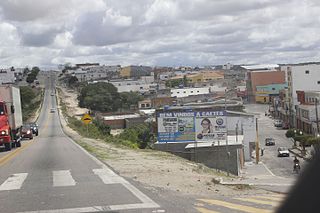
191, 126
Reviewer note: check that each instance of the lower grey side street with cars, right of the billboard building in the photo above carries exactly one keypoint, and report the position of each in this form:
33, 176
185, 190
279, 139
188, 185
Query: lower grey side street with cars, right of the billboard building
280, 166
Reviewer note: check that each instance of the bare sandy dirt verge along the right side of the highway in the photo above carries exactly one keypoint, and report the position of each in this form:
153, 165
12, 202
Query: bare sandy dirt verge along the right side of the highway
154, 169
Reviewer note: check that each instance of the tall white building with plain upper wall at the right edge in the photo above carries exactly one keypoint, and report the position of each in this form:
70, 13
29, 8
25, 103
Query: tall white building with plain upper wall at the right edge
300, 77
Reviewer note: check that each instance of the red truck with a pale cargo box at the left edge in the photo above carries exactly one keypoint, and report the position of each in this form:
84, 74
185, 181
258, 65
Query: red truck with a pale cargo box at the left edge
10, 117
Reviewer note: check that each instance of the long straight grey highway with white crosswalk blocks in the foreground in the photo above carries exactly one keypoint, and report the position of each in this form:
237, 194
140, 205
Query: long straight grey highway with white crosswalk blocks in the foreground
51, 173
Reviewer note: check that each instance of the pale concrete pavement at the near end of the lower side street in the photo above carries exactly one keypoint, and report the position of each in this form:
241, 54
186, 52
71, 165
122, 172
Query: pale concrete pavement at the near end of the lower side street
259, 175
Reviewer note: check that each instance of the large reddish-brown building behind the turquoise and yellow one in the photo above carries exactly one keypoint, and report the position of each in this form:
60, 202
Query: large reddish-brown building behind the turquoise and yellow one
262, 78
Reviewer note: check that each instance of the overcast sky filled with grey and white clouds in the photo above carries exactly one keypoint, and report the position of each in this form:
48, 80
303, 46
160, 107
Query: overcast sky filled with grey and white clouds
158, 32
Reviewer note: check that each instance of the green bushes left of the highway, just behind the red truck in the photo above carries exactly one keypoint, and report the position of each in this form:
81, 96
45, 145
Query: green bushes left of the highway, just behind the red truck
31, 99
